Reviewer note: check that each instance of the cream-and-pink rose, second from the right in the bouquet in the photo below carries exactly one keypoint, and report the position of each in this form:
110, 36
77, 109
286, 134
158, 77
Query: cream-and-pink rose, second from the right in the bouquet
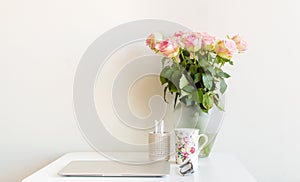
226, 48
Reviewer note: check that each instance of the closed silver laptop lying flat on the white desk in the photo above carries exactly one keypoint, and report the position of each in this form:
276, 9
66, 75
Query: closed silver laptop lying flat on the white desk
111, 168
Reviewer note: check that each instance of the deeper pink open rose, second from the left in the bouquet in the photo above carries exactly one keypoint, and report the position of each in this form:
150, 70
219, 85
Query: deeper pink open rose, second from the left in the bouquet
167, 48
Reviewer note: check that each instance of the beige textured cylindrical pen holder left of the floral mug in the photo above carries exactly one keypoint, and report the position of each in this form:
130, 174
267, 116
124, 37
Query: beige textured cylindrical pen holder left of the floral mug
159, 146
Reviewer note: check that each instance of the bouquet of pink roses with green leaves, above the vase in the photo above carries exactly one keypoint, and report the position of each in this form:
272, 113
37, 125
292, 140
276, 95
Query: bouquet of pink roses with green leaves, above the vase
192, 65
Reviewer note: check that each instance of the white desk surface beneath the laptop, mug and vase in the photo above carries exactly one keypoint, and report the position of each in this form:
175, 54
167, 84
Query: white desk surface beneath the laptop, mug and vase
216, 168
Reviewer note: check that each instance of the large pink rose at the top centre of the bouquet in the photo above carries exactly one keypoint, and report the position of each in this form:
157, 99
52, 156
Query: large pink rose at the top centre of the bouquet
191, 41
